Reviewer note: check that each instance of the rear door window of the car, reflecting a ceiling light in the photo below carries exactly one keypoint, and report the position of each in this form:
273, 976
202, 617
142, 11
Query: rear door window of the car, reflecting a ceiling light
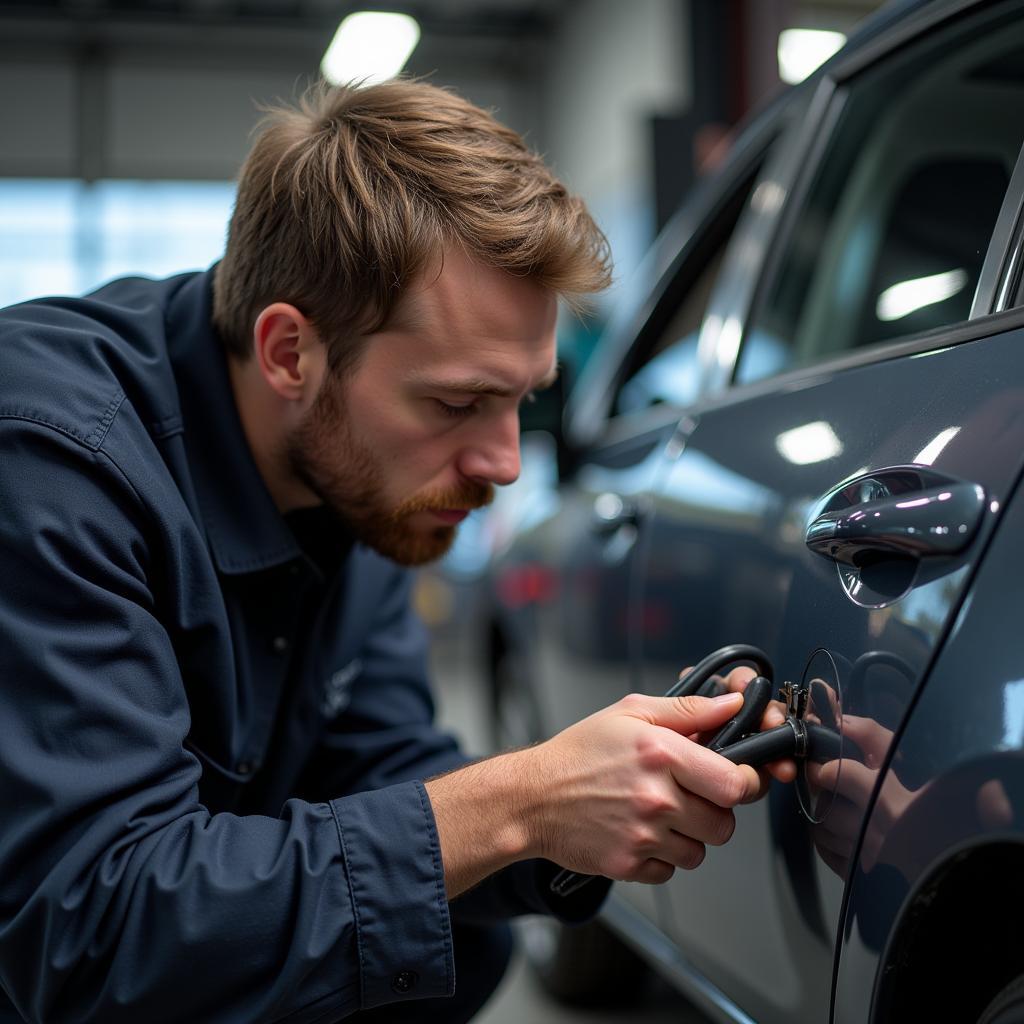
892, 234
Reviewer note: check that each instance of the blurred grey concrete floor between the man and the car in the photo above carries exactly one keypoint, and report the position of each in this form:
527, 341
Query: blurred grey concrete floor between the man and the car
521, 1000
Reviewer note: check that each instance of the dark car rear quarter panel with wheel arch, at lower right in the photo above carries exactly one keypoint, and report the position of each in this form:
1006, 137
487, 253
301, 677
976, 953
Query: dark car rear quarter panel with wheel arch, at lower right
968, 729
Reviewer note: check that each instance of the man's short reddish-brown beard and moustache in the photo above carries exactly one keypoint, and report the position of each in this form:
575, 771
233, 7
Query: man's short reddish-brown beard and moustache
349, 478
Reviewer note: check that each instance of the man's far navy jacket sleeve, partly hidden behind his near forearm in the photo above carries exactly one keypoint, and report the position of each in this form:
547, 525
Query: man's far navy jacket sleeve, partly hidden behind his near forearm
387, 735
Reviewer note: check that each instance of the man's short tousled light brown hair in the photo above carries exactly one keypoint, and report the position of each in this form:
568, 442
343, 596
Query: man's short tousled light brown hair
345, 200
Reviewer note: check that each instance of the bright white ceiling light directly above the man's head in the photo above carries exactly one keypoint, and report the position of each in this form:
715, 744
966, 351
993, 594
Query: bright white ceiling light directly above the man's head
370, 47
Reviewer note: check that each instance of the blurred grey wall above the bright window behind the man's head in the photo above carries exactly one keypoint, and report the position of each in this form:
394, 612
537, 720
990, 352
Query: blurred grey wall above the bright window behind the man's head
137, 101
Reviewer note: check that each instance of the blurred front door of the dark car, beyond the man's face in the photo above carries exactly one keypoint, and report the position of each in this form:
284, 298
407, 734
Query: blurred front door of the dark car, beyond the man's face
561, 646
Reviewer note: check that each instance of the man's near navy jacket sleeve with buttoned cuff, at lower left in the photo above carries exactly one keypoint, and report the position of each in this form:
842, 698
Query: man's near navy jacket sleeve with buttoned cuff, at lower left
122, 899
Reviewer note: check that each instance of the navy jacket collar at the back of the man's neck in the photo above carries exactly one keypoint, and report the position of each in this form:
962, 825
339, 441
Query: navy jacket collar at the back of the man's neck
245, 530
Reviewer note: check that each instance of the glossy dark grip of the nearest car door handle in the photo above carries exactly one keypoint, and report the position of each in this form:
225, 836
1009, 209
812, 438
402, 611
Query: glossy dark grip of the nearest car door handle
938, 521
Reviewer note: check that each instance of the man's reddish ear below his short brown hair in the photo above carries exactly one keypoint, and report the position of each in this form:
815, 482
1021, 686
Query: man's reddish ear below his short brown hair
288, 352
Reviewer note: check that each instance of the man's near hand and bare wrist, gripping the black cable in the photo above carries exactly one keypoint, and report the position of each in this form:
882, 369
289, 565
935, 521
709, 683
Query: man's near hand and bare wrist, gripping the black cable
626, 793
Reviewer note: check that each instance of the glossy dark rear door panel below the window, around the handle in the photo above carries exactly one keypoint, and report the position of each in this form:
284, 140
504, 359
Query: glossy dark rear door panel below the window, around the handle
729, 524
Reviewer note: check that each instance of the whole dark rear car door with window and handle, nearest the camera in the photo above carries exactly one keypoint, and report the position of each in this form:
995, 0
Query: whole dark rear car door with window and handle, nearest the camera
867, 372
